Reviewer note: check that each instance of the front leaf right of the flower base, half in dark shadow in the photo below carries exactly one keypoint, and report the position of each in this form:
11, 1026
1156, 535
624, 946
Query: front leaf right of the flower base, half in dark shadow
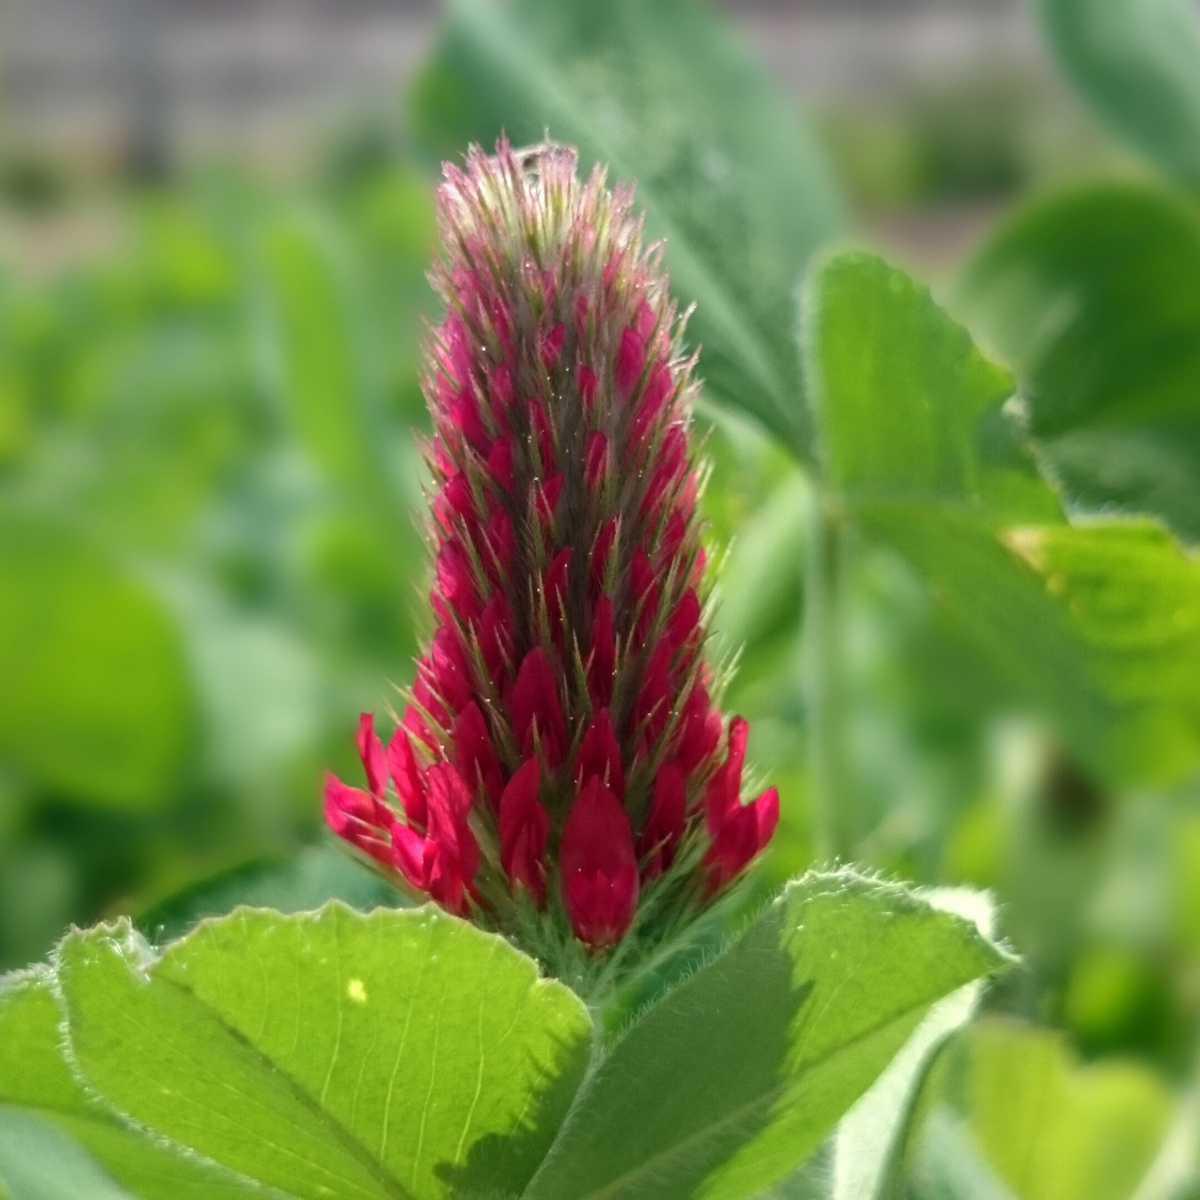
736, 1077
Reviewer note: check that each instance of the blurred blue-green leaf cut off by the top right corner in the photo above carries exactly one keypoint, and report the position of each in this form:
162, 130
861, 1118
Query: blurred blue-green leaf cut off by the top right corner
1138, 62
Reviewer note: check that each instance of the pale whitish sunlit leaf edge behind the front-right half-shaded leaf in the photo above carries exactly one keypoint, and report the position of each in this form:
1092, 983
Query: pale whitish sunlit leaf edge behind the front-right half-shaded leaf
873, 1139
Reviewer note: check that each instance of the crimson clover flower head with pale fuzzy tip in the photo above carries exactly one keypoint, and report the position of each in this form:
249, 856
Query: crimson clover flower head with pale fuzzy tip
562, 770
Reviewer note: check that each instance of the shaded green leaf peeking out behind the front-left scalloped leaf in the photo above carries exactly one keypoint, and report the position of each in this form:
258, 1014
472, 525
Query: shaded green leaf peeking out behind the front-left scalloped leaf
295, 885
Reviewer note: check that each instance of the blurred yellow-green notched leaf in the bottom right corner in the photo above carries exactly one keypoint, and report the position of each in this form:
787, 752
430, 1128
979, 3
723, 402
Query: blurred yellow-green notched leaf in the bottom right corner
1058, 1131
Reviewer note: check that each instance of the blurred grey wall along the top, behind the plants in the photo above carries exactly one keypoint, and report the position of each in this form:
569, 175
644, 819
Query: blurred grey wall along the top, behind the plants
189, 77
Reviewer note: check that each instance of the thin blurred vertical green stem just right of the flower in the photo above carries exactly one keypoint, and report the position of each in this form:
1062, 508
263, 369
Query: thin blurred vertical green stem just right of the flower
833, 801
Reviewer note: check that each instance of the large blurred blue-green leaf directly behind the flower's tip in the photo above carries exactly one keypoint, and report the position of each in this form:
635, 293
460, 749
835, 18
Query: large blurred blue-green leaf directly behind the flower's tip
663, 95
